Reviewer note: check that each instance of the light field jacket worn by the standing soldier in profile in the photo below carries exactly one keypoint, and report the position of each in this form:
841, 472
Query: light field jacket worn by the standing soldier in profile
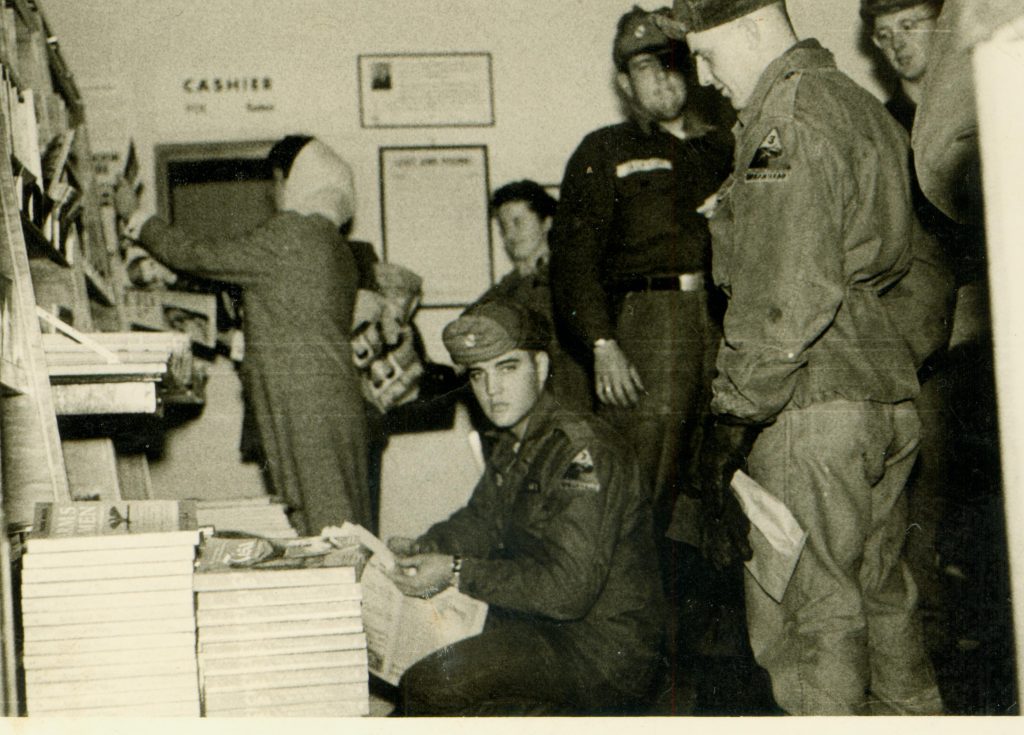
813, 228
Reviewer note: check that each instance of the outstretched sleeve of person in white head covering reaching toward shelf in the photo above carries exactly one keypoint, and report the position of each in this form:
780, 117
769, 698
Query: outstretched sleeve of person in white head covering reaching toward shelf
243, 261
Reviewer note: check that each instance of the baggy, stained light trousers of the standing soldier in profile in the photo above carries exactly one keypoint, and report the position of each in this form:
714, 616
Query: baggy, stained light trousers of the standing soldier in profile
846, 638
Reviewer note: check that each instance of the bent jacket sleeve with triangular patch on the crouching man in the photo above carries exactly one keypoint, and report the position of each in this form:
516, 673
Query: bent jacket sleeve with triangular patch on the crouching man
563, 573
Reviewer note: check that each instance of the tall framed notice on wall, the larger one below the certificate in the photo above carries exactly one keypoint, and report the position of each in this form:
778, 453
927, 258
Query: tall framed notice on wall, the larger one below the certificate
436, 221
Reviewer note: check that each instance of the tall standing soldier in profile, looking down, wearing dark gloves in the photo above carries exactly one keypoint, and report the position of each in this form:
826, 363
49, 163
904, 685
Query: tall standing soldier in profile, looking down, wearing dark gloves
816, 382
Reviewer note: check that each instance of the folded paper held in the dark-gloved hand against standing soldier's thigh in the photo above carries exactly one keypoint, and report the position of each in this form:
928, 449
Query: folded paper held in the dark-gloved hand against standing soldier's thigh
776, 536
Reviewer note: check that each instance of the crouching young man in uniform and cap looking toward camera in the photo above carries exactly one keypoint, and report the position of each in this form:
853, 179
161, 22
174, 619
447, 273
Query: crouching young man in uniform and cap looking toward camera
557, 539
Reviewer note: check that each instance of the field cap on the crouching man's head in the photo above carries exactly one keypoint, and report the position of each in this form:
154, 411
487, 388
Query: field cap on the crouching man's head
494, 328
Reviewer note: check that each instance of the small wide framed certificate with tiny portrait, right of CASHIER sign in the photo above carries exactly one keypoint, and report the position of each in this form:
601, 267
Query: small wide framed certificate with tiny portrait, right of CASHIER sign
416, 91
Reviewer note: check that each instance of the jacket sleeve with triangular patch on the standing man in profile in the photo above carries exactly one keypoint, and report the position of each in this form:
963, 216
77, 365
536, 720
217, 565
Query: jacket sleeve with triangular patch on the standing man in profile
786, 272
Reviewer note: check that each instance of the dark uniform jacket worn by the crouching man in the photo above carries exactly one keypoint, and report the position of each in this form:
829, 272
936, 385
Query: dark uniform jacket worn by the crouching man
560, 530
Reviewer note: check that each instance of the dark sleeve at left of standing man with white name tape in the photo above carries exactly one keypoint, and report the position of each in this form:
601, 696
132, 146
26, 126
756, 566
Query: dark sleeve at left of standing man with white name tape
579, 241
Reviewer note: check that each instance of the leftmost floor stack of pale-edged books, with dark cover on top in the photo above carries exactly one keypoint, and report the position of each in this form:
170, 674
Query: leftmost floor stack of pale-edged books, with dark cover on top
109, 619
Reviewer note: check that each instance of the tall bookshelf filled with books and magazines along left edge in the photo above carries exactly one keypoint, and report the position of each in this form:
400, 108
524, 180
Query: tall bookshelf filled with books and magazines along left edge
64, 347
